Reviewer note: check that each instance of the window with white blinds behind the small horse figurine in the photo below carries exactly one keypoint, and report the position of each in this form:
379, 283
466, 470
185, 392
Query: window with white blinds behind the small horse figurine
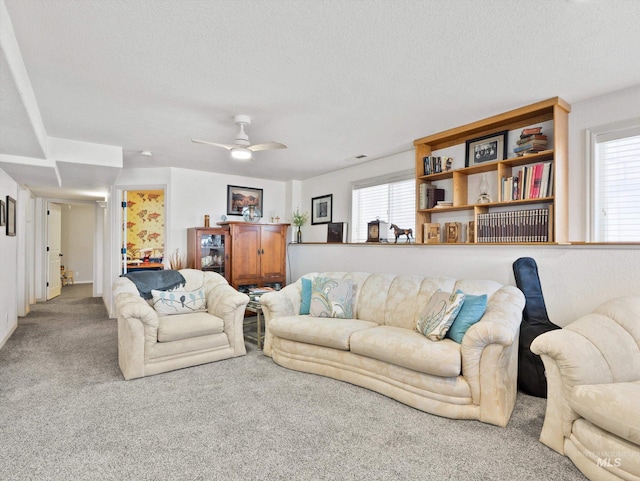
391, 199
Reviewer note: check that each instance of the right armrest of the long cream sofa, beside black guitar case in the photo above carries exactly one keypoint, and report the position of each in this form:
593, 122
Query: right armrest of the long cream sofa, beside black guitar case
489, 352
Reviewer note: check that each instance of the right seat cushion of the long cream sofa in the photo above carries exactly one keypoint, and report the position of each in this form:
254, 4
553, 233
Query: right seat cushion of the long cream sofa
408, 349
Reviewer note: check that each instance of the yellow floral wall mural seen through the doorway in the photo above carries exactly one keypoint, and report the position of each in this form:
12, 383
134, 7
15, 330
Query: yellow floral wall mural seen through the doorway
145, 223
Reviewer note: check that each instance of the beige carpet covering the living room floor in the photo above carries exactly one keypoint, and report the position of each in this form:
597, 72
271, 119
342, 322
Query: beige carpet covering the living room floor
67, 414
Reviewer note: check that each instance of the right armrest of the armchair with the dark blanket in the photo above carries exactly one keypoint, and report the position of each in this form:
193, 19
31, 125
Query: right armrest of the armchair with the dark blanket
228, 304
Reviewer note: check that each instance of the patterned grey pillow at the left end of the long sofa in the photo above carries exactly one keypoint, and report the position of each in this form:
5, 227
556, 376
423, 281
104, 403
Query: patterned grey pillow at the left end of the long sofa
332, 298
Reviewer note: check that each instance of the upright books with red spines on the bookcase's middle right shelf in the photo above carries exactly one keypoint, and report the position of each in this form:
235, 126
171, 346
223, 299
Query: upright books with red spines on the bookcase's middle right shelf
533, 181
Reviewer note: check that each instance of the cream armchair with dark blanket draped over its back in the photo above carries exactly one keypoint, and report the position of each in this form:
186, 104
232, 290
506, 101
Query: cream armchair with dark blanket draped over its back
149, 343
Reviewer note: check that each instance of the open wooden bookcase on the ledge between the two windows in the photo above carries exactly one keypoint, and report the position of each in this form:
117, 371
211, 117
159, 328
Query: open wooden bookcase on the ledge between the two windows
501, 211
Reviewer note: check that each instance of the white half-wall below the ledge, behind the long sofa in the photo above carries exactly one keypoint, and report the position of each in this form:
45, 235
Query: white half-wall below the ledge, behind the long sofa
575, 279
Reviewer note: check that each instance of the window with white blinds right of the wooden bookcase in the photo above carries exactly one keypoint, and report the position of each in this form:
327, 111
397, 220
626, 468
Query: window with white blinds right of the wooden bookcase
615, 212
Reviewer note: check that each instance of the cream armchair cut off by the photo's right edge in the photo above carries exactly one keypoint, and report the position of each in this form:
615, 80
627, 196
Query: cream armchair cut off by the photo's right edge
593, 395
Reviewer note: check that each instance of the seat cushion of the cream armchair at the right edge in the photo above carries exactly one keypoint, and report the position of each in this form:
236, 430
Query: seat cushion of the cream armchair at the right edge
612, 407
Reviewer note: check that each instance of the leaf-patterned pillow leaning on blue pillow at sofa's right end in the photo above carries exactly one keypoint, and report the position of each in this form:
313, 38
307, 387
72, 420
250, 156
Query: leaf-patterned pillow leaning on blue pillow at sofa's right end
439, 314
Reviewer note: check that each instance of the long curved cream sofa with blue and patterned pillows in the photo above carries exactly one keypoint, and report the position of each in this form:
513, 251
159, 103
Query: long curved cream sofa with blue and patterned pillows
382, 350
